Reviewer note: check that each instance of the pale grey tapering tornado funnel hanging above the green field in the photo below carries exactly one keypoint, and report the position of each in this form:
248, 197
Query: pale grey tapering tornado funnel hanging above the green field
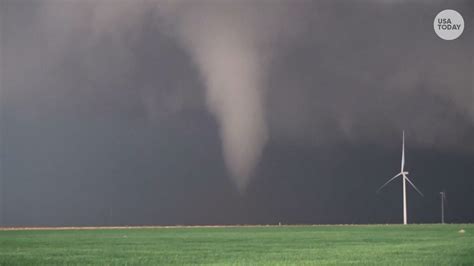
226, 52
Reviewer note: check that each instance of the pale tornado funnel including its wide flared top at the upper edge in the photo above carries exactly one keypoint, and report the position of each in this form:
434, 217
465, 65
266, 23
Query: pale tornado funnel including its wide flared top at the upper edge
231, 42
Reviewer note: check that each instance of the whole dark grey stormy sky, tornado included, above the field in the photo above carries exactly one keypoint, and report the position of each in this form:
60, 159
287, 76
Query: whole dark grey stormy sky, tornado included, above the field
224, 112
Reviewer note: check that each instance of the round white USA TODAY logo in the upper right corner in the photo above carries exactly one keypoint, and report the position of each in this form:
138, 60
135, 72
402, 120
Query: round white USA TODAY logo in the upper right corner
448, 24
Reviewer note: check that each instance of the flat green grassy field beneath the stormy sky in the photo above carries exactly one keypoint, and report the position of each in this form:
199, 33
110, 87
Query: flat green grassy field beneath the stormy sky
272, 245
